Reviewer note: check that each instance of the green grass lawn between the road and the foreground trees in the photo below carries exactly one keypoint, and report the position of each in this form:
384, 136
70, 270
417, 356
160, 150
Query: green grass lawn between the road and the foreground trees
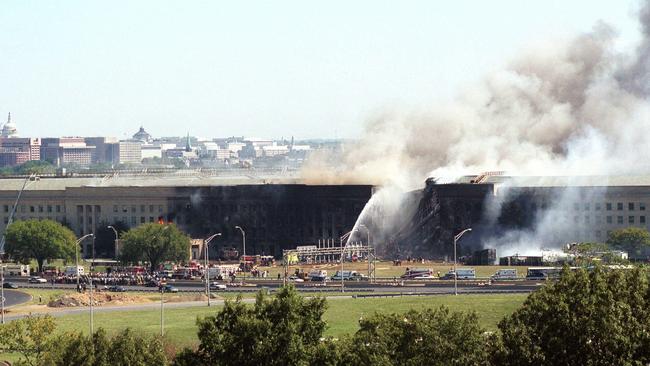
342, 314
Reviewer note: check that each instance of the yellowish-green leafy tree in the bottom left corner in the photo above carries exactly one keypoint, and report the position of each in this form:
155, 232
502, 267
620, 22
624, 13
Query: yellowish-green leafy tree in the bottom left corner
28, 337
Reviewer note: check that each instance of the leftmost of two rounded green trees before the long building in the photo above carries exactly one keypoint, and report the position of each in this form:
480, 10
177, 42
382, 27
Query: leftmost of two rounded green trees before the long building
41, 240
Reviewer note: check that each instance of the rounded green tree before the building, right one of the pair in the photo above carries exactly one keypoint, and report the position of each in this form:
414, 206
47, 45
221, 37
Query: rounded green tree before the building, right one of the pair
155, 244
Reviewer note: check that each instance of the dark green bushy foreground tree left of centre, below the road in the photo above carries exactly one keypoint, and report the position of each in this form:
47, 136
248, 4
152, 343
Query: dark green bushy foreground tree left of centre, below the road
283, 330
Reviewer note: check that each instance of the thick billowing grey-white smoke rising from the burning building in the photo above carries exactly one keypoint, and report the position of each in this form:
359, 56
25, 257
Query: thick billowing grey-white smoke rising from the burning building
570, 107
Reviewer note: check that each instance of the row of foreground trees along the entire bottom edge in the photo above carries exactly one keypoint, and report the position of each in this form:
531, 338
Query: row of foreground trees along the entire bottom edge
597, 317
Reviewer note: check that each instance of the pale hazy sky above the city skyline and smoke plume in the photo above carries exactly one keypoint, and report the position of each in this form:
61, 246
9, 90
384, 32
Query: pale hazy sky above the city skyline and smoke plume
260, 68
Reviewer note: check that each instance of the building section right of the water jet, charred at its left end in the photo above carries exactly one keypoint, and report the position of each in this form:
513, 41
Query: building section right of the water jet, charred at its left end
556, 210
